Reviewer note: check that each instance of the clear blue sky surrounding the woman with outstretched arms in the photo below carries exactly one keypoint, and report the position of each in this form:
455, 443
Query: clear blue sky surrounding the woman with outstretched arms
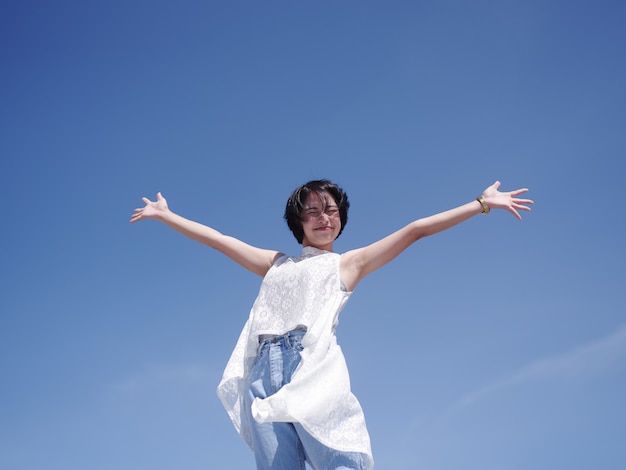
497, 345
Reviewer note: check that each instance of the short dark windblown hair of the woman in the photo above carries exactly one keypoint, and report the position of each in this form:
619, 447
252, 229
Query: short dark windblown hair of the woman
295, 204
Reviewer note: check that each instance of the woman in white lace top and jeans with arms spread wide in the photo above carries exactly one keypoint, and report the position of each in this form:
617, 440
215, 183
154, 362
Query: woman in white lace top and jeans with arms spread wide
286, 386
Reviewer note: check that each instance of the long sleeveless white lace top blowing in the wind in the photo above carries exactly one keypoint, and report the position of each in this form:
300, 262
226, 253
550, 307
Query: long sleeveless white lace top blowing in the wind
301, 291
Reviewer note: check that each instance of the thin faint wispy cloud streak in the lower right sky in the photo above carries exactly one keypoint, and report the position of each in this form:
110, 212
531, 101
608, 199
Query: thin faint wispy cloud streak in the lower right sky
590, 360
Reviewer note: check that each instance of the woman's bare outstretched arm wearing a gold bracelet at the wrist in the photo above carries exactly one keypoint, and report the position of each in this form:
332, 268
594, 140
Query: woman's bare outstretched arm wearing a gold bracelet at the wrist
357, 264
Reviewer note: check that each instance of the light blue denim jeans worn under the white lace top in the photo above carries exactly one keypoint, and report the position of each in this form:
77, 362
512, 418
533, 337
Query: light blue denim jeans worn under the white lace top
286, 446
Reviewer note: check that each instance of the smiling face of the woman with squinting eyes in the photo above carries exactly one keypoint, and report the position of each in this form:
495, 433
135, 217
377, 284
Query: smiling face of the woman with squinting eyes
320, 221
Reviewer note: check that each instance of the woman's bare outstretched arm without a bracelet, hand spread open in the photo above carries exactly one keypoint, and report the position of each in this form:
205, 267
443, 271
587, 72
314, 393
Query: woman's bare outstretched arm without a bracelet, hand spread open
252, 258
